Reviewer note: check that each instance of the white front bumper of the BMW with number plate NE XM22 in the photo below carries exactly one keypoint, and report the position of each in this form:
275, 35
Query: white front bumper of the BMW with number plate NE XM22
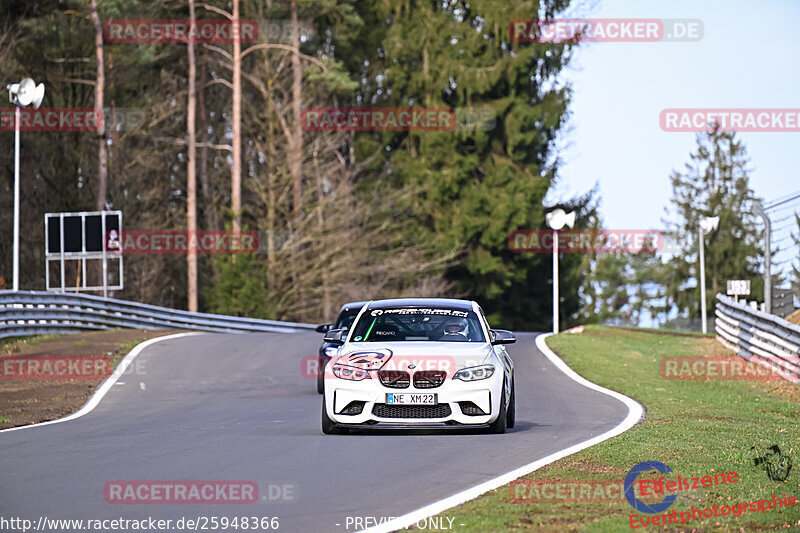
455, 399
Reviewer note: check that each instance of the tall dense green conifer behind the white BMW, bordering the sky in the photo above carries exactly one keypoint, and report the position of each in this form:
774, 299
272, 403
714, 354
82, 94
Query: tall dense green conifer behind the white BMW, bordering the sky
475, 185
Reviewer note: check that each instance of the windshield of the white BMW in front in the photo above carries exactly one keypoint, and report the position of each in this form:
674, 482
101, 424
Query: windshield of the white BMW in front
418, 324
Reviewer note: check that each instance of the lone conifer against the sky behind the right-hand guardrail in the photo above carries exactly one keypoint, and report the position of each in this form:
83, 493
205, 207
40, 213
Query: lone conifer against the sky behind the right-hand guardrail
714, 183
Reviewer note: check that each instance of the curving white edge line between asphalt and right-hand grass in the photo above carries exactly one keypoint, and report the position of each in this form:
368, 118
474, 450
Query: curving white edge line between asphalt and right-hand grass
635, 414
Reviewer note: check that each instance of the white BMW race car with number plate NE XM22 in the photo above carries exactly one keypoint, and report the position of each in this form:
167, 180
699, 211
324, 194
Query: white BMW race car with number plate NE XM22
419, 363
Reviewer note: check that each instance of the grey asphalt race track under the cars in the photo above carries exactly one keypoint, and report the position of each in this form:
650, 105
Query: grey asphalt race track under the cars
237, 407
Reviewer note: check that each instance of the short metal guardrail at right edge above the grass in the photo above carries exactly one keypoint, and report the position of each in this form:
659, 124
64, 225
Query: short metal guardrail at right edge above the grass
760, 337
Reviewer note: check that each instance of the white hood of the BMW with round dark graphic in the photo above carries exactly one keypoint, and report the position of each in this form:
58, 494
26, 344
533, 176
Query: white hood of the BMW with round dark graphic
420, 355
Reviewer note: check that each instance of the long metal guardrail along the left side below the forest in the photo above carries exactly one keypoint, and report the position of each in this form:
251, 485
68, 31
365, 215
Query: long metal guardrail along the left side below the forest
37, 313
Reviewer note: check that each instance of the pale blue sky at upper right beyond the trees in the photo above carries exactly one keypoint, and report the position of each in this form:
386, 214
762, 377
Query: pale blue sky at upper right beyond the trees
749, 57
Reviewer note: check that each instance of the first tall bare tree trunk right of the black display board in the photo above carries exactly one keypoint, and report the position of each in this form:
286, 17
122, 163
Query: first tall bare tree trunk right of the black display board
191, 171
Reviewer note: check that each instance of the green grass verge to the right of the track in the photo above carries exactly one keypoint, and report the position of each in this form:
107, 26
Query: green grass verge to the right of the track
695, 427
